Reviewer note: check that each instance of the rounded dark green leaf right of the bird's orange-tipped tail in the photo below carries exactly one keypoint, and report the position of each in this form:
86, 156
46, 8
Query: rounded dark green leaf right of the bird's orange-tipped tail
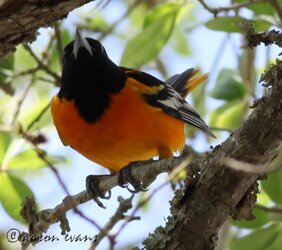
229, 86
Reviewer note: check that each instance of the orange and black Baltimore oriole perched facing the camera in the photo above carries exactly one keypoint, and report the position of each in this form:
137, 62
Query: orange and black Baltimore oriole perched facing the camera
115, 115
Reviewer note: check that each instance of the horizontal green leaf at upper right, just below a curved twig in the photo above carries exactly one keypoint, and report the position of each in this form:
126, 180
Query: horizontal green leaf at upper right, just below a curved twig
231, 24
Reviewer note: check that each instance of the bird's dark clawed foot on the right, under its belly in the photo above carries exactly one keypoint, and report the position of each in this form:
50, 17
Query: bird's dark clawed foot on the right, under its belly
125, 177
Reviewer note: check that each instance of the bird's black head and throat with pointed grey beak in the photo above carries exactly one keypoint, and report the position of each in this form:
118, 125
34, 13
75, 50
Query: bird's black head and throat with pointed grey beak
89, 77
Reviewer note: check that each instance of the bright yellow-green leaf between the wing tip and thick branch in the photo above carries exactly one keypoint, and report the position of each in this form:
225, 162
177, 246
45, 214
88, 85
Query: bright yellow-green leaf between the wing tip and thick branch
232, 117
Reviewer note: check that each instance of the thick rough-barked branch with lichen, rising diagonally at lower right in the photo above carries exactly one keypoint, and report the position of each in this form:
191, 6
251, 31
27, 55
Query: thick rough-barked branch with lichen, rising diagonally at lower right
221, 188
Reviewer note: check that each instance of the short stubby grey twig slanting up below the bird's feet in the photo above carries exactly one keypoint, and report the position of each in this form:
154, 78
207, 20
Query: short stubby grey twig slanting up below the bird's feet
124, 206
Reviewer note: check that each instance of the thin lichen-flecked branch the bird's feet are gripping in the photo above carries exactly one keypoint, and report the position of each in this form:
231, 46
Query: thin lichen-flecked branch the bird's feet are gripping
41, 221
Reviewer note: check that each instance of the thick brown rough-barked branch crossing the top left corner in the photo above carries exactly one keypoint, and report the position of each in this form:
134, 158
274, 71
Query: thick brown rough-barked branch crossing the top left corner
19, 20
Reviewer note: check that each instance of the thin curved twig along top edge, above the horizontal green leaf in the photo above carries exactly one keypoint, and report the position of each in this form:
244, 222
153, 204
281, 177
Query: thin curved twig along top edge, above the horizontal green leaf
234, 7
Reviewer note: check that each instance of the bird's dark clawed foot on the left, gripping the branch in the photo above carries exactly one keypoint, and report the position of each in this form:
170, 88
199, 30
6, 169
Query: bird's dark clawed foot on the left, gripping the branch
92, 186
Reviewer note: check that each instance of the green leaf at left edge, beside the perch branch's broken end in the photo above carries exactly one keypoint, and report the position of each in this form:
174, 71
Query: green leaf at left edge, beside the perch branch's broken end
12, 193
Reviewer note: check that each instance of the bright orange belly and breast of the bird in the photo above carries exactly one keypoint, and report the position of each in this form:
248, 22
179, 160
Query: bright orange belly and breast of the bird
130, 130
